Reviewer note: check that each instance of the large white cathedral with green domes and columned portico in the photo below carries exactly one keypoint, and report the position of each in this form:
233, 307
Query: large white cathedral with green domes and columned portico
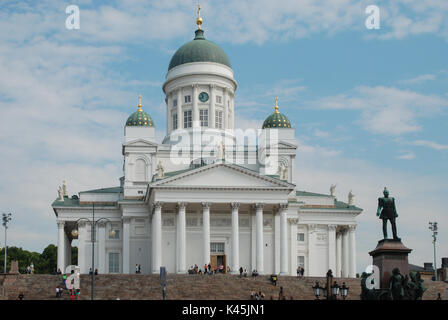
208, 193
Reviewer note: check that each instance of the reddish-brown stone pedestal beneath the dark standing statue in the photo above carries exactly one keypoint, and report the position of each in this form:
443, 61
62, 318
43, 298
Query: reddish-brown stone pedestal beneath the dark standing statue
388, 255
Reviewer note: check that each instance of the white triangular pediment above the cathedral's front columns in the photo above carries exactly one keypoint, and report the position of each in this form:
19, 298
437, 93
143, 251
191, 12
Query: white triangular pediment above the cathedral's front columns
223, 176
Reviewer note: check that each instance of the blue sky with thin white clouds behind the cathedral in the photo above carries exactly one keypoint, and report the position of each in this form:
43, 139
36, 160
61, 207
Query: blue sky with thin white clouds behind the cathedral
369, 106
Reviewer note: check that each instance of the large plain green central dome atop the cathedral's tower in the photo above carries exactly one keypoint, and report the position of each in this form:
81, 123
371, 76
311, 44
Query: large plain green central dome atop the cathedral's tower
199, 50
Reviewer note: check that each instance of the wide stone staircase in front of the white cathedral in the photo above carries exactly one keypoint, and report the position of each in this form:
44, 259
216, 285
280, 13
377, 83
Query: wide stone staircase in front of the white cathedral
179, 287
